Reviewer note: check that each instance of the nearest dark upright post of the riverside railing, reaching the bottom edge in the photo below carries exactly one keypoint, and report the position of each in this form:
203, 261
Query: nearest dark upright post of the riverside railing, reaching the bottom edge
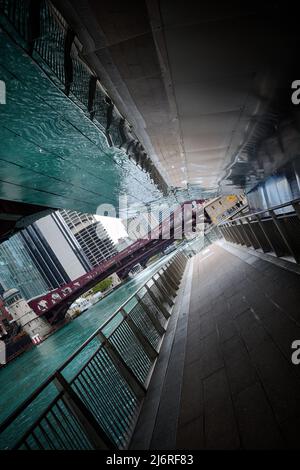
95, 434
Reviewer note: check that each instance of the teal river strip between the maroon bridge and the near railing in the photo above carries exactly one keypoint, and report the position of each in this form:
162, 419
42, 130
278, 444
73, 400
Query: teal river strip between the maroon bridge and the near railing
24, 374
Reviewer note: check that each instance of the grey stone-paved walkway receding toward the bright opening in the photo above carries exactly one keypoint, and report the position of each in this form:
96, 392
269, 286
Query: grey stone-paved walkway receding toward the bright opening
229, 382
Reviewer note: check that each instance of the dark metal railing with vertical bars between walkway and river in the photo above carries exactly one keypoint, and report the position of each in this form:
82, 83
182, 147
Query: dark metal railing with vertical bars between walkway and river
93, 400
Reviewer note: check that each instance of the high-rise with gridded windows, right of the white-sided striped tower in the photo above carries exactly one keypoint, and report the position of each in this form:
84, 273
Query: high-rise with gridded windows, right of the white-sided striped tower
90, 235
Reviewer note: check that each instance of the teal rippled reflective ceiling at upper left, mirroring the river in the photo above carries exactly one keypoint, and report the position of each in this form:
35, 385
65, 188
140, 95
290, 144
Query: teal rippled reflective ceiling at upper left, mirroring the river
52, 154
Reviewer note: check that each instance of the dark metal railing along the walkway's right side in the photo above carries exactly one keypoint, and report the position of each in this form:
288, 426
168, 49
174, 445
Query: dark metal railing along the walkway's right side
275, 230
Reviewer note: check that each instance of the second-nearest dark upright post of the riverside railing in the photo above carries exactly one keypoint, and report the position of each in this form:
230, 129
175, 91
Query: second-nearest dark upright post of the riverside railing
134, 383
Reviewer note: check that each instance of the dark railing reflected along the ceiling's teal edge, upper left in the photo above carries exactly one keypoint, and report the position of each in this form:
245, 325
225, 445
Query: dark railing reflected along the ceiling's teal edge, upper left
50, 41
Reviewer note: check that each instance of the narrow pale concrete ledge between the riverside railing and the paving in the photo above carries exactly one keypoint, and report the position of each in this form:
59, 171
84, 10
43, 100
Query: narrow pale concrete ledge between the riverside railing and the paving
151, 421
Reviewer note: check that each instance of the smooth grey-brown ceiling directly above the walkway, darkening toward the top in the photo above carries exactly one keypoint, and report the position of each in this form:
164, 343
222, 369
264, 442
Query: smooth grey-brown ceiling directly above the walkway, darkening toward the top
203, 82
